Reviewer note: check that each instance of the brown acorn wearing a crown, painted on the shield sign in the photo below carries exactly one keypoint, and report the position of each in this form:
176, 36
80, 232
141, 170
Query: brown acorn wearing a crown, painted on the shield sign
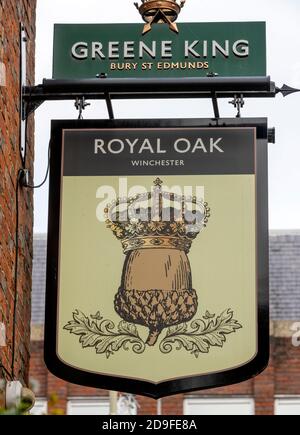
156, 230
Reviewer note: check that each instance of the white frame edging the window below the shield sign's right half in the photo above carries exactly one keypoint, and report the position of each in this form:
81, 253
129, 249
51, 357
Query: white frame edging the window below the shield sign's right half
215, 401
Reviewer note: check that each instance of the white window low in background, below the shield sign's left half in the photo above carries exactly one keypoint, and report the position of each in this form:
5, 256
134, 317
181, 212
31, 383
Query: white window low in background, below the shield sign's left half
88, 406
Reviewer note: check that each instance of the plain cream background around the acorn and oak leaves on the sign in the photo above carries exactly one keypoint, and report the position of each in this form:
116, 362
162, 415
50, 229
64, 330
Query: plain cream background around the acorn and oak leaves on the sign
100, 256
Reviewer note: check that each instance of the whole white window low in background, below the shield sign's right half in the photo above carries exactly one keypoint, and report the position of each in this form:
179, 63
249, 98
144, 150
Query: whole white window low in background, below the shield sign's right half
218, 406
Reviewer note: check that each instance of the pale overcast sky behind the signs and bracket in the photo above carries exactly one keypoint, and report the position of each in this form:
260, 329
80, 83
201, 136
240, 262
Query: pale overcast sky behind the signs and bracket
283, 47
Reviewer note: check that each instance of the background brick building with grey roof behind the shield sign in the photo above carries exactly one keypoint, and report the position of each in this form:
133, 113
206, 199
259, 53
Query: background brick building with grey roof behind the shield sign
276, 390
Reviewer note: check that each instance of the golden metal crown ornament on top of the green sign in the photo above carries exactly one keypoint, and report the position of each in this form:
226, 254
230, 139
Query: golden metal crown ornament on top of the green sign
160, 11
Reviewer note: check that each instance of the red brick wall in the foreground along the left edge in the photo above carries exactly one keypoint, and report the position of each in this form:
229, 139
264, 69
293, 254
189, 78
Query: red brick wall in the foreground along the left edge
11, 14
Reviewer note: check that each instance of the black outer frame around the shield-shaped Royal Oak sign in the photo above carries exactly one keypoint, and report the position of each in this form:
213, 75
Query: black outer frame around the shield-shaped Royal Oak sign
73, 375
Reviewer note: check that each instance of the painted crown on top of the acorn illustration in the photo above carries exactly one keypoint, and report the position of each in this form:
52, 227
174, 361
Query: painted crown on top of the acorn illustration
152, 225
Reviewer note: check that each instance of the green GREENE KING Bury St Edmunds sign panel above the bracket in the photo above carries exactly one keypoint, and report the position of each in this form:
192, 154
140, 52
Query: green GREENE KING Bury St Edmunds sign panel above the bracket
121, 51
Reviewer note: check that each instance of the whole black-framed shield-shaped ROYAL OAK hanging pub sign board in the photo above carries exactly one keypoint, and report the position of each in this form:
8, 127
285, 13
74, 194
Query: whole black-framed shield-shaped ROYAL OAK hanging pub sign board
157, 270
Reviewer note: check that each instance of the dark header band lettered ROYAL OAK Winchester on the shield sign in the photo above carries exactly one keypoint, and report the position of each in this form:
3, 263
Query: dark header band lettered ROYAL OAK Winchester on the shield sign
184, 151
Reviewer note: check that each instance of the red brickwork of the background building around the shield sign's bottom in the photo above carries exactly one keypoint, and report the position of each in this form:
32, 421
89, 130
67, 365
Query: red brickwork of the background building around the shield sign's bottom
281, 377
